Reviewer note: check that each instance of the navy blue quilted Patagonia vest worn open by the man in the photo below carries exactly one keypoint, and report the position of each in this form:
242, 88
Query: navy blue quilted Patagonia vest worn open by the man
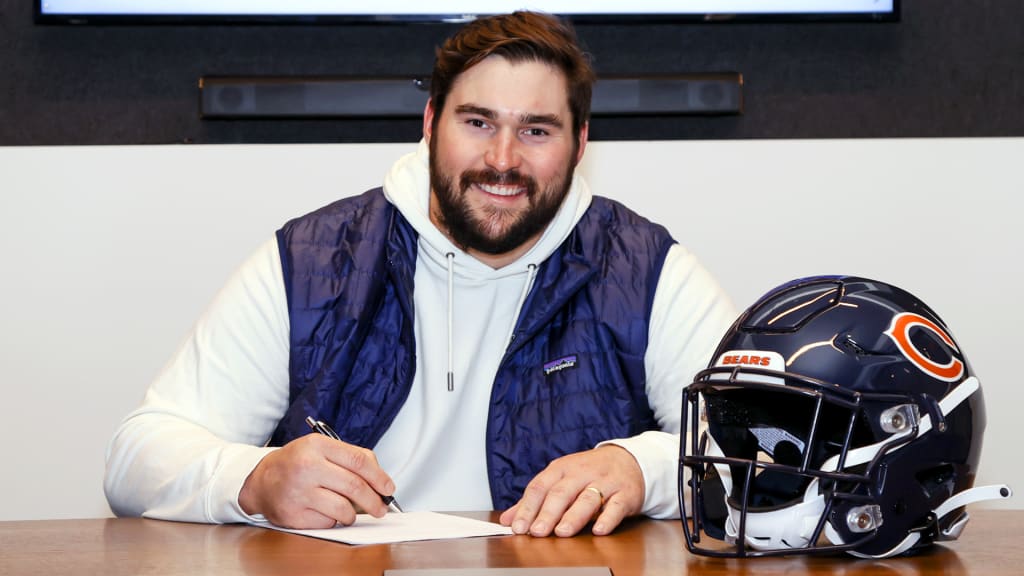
574, 376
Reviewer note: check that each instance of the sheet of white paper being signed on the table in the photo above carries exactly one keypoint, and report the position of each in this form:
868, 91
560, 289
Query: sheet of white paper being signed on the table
402, 528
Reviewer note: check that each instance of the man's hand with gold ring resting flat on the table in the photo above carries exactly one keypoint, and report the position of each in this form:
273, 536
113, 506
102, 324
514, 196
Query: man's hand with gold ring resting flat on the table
605, 485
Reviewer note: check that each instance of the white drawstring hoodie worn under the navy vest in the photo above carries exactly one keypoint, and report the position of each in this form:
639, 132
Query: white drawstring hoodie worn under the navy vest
185, 454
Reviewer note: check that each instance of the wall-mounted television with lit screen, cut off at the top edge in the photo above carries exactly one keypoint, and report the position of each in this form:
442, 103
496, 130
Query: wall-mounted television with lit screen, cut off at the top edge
325, 12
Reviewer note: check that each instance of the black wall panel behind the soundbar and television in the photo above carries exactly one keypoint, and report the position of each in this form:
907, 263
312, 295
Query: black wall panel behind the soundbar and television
948, 69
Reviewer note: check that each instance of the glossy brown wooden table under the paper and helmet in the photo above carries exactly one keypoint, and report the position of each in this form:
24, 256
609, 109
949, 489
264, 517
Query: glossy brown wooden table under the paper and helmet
134, 547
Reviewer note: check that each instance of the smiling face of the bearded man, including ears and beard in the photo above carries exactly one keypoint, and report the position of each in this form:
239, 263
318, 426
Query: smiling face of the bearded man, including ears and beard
502, 157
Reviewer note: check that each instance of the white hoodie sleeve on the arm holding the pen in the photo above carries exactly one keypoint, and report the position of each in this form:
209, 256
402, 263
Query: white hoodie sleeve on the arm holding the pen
202, 427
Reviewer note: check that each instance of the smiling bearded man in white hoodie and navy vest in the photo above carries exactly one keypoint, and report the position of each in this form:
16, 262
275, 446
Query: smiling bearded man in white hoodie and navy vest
483, 333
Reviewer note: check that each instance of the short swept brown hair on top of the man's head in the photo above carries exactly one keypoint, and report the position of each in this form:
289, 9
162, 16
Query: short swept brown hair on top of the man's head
519, 37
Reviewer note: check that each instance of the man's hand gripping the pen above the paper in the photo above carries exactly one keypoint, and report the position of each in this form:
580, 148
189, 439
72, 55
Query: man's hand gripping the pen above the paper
316, 482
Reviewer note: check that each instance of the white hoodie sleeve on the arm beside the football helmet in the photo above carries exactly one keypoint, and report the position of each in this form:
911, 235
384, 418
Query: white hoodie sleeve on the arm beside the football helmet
690, 316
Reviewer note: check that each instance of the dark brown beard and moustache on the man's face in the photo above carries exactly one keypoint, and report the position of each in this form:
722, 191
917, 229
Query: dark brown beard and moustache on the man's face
493, 230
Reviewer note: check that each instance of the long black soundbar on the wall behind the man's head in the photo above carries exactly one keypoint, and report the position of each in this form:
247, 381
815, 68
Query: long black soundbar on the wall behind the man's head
241, 98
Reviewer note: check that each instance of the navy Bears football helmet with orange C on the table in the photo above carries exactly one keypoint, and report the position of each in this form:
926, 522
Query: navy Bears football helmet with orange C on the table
838, 415
